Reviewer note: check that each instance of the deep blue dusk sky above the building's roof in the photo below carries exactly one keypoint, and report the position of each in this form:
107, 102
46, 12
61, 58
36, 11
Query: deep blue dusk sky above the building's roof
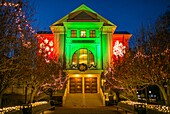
128, 15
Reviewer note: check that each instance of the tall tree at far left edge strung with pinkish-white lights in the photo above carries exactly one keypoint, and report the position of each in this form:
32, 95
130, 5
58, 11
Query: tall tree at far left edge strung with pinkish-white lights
16, 39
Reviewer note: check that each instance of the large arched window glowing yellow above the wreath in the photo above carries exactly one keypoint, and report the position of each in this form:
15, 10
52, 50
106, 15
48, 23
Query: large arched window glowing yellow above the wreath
83, 56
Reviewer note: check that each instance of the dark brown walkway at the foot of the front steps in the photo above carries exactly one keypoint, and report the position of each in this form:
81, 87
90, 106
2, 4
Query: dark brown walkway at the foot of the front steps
94, 110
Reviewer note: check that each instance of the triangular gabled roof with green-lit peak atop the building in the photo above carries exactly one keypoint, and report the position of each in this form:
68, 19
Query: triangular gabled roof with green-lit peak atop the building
84, 13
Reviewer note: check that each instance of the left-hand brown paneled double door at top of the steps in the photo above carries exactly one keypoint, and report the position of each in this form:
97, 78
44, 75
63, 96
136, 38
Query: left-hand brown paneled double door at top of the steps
76, 85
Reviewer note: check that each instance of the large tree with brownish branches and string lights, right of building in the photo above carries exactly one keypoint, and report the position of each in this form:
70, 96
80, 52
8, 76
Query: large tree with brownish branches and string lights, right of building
148, 63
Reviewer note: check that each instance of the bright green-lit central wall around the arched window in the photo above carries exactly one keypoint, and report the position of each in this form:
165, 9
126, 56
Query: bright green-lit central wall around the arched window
91, 44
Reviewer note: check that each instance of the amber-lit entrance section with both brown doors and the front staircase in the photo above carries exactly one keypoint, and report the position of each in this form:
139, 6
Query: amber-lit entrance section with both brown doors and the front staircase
84, 89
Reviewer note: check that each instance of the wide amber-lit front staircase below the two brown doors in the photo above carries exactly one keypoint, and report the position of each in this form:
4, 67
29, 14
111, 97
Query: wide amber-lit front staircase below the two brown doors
83, 100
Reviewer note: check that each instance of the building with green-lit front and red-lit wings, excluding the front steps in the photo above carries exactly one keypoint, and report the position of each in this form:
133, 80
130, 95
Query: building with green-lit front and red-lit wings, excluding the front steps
88, 42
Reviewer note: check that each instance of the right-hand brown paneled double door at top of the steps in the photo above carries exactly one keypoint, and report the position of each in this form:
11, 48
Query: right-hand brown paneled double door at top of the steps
90, 84
